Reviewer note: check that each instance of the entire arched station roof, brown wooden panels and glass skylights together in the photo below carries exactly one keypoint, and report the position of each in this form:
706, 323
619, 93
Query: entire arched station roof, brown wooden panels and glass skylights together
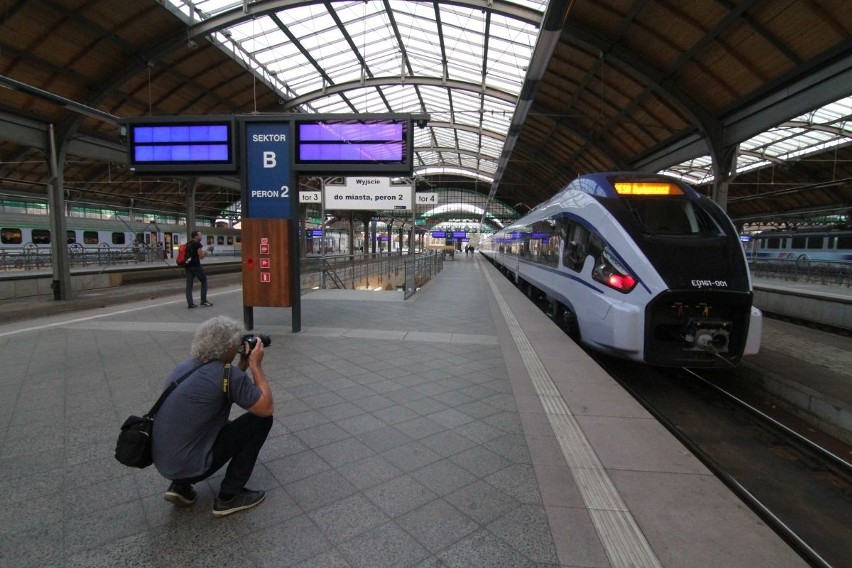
522, 96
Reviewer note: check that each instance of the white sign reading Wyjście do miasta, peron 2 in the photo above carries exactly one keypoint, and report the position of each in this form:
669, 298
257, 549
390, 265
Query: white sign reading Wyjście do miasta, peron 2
368, 193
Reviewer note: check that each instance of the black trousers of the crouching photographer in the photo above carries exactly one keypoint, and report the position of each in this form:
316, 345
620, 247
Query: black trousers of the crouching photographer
239, 441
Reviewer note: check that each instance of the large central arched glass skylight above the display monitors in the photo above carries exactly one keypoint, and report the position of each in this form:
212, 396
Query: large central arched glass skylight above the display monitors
463, 63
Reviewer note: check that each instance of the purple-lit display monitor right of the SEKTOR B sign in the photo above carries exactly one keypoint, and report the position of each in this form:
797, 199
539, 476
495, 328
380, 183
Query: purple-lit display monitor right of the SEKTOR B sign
349, 144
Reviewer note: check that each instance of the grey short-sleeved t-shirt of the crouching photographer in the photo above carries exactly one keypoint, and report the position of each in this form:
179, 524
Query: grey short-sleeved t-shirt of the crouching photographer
192, 416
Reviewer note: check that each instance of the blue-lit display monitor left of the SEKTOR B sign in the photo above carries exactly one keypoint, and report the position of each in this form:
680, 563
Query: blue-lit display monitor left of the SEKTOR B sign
182, 145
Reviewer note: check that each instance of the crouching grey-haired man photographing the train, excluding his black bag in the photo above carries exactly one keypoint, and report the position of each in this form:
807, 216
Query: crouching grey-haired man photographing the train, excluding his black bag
193, 438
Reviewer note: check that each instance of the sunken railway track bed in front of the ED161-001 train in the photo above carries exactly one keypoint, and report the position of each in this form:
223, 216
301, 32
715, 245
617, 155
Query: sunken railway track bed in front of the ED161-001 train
800, 488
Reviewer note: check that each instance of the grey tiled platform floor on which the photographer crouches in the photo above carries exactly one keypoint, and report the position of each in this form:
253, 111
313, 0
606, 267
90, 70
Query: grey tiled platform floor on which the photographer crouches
458, 428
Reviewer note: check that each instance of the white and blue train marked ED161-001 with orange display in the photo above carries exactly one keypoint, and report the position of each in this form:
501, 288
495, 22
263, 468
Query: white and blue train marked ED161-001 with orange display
638, 266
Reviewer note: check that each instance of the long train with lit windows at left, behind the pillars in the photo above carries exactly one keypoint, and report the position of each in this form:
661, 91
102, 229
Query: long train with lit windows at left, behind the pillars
22, 232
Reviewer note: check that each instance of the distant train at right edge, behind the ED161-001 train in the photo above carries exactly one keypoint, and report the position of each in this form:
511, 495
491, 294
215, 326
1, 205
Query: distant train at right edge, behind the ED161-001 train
804, 246
